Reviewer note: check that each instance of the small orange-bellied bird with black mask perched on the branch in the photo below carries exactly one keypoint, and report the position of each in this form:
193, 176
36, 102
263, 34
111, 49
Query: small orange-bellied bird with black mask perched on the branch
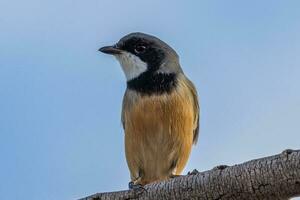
160, 110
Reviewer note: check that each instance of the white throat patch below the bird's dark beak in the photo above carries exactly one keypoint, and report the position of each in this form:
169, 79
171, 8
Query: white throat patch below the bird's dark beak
132, 65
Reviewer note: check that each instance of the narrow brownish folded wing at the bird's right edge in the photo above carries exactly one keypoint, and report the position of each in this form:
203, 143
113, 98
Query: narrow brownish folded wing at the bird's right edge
196, 110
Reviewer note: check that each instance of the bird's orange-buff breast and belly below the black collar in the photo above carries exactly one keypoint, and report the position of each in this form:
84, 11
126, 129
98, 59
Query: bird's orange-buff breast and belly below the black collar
158, 134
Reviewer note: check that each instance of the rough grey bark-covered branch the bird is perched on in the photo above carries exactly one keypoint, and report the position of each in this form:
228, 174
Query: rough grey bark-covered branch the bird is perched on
275, 178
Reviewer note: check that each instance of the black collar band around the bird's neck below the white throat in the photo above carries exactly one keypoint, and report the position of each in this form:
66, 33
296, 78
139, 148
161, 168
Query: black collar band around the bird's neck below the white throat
153, 83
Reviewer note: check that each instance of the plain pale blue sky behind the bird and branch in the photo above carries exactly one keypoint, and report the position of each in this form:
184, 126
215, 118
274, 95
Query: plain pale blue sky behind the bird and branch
60, 99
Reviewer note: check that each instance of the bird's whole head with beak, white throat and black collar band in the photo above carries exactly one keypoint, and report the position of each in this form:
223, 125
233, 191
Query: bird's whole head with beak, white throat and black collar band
148, 63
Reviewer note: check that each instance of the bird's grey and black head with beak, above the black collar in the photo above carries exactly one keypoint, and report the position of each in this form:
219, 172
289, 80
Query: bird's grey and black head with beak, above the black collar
140, 53
